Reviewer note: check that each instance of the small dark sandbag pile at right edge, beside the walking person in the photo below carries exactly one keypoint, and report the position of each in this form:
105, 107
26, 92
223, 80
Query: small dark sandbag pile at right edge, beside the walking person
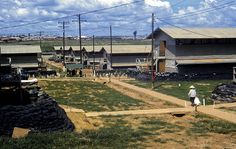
225, 93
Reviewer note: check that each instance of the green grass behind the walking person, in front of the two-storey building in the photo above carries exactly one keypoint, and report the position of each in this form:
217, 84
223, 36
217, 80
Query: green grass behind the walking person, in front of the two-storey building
180, 89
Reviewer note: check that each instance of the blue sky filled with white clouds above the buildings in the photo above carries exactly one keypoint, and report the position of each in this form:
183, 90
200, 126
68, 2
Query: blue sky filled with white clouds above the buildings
31, 16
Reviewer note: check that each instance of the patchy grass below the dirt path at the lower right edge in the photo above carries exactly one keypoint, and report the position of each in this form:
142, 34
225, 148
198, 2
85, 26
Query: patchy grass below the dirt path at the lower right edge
206, 125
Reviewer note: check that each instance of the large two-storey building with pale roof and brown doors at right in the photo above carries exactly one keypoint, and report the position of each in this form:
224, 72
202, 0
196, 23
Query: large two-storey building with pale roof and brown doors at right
195, 49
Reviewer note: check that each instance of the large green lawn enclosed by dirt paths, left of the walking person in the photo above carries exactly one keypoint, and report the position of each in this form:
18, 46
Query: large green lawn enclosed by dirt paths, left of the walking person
89, 96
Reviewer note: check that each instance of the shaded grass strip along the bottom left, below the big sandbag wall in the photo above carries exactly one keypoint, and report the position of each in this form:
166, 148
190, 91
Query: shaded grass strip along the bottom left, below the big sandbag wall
116, 135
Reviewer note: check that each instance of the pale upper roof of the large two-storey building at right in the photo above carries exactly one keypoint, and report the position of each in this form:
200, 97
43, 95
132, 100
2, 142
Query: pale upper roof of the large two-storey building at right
198, 33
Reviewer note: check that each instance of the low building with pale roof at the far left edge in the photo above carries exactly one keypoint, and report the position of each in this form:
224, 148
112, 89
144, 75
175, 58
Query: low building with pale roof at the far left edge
21, 56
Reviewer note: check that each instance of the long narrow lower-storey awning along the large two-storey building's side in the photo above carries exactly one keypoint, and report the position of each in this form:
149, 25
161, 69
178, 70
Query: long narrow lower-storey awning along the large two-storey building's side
205, 61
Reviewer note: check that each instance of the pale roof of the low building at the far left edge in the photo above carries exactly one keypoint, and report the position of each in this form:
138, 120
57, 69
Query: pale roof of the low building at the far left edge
19, 49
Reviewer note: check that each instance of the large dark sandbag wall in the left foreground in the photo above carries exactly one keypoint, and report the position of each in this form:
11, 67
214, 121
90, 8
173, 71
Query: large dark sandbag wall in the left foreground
42, 115
